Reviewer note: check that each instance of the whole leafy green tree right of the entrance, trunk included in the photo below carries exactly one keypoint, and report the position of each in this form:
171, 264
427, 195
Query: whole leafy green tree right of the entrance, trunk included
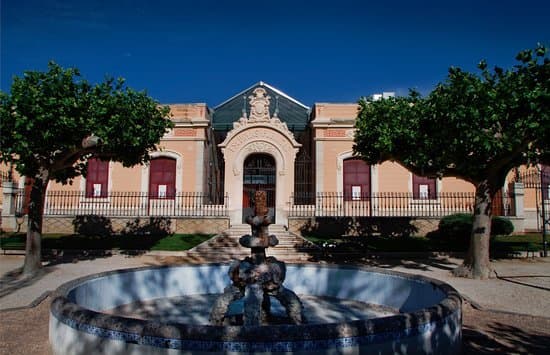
474, 127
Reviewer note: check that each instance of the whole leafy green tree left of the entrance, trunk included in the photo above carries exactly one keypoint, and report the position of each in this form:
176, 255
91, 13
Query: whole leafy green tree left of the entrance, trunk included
53, 121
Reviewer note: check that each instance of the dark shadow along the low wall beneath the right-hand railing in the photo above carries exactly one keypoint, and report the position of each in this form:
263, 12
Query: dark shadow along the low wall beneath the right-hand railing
359, 226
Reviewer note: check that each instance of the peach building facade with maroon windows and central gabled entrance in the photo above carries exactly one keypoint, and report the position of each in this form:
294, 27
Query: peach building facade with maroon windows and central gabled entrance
212, 161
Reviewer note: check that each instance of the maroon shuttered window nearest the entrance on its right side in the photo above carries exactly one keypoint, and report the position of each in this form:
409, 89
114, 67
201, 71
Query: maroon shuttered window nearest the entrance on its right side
356, 179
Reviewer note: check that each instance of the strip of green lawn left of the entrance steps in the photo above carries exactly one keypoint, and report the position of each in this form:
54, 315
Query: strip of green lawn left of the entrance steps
175, 242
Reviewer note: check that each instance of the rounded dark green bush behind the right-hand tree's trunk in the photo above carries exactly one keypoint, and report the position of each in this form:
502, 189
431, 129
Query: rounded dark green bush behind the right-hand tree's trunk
459, 227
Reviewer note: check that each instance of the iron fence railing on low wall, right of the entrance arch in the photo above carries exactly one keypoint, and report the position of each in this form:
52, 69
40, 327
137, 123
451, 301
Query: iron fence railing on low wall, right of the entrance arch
382, 204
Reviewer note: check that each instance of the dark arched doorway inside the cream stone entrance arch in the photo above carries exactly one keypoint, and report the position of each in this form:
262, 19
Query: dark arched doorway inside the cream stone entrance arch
259, 173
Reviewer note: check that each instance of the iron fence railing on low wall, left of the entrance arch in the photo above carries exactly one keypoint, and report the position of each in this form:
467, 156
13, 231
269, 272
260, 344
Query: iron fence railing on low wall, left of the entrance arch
131, 204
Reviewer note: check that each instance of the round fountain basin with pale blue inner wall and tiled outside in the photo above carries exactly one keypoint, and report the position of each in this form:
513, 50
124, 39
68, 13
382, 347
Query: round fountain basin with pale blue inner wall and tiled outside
416, 314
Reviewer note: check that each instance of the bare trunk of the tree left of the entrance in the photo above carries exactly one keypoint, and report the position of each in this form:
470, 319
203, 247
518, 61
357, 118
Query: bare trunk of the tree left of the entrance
33, 248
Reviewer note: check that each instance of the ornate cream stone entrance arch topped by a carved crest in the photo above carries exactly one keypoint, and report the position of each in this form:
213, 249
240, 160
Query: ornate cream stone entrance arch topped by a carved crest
264, 140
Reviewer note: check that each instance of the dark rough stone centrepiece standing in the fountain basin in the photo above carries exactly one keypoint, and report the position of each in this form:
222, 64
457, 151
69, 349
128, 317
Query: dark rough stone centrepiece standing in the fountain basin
256, 278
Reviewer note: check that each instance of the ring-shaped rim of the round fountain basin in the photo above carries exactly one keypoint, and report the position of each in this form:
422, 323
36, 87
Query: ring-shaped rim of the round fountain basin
73, 314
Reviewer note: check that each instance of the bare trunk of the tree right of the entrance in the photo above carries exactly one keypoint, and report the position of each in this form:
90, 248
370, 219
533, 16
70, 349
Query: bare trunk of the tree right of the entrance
477, 264
